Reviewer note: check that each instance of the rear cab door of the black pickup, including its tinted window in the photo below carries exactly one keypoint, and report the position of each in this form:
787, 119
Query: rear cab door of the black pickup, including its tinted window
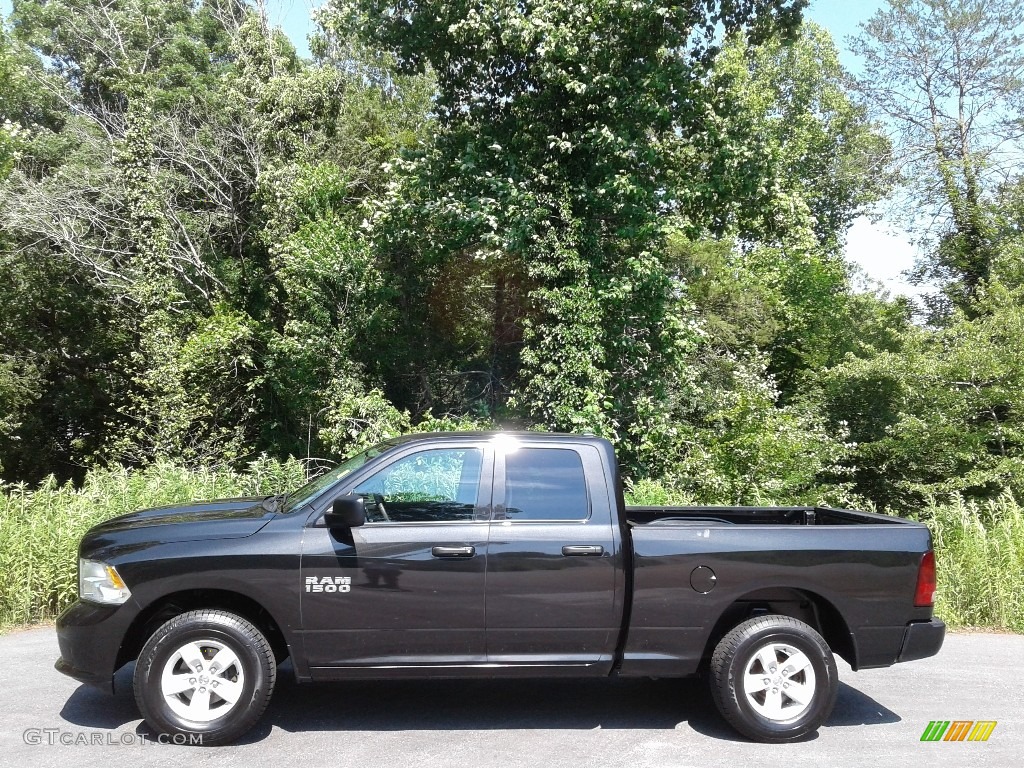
554, 569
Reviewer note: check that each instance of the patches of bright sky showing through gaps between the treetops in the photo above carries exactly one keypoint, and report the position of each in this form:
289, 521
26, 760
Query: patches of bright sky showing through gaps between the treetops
883, 252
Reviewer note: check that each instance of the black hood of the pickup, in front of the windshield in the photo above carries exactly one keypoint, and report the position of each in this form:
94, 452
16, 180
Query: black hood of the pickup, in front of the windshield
224, 519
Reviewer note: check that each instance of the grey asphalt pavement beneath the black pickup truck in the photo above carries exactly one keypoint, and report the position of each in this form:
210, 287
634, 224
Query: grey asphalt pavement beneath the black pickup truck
50, 720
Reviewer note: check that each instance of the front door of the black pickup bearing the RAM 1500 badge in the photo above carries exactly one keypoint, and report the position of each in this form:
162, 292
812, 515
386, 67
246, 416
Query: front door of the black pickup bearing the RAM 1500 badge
407, 589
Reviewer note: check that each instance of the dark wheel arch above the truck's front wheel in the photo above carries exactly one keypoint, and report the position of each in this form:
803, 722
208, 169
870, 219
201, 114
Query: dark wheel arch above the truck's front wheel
176, 604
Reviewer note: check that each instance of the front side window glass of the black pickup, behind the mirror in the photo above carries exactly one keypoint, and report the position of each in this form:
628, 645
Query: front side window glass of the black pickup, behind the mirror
437, 486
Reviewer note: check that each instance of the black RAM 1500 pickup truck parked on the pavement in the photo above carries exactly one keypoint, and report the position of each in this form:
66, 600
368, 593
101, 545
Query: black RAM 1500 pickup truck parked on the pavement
493, 556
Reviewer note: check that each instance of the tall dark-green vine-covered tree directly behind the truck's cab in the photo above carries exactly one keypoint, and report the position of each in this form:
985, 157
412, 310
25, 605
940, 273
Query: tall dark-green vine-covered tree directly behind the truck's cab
549, 169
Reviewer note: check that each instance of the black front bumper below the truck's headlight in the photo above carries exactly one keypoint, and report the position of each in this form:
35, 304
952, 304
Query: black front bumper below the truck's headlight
90, 637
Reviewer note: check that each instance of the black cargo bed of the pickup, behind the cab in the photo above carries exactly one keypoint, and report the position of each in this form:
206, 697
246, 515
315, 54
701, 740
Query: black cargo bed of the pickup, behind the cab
690, 562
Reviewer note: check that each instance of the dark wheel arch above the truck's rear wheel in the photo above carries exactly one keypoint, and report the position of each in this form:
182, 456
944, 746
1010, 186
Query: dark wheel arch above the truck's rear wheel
805, 606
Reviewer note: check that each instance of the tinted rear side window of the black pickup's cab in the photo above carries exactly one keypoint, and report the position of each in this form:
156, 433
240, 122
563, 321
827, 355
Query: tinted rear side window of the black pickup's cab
545, 485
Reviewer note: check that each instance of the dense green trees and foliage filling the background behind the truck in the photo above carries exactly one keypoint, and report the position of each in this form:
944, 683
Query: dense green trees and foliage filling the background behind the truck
608, 216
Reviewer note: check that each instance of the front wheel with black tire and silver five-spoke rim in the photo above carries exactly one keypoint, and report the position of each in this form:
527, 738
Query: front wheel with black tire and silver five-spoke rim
248, 678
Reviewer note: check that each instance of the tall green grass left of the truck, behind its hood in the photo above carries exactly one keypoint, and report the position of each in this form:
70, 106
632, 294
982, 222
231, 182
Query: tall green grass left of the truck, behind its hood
40, 528
